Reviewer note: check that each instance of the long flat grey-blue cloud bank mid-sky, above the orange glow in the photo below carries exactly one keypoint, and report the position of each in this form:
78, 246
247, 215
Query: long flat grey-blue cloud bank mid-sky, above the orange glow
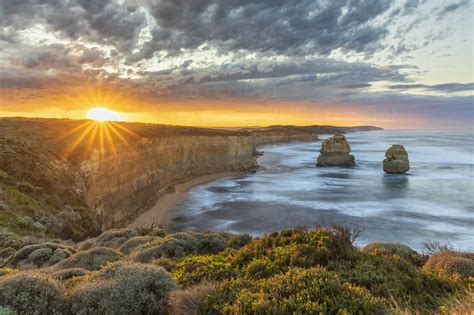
320, 79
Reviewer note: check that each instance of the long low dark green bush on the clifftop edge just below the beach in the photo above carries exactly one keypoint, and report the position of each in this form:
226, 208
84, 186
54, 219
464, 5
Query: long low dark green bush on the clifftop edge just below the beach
180, 245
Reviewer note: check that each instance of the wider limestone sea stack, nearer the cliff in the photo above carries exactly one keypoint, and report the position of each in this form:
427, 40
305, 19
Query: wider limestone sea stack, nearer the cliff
335, 152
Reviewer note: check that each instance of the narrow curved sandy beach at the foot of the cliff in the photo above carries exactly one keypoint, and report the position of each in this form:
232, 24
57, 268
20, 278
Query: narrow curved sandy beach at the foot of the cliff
161, 212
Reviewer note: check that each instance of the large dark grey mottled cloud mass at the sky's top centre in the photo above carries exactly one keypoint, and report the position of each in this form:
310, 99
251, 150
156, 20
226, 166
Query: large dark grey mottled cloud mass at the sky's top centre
277, 26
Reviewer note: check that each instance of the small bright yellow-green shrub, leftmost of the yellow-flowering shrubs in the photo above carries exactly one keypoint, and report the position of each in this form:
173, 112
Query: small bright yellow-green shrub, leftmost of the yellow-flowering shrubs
195, 269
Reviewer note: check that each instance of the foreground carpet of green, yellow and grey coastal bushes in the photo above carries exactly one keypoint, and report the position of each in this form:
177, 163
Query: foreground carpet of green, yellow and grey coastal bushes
300, 271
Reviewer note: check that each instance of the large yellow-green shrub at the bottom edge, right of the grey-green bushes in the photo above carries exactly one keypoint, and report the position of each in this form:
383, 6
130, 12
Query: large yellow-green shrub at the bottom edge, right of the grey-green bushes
299, 291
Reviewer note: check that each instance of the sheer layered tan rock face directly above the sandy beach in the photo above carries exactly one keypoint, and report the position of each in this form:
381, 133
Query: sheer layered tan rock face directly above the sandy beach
121, 186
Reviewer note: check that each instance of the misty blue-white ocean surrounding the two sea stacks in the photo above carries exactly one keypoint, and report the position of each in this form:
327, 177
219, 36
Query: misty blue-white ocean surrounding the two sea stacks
434, 201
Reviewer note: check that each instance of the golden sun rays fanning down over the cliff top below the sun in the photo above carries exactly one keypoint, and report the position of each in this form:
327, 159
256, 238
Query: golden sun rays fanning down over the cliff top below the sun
104, 136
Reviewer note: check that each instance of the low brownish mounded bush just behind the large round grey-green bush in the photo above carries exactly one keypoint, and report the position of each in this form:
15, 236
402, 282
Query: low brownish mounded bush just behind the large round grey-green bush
92, 259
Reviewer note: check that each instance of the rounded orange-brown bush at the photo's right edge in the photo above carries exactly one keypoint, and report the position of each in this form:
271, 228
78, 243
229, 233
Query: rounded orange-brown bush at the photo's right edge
450, 263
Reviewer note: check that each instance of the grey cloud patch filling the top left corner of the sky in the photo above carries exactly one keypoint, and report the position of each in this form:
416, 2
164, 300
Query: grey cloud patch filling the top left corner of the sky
105, 22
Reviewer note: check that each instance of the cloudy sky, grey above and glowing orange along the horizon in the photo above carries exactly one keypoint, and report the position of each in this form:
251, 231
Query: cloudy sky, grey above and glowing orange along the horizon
395, 64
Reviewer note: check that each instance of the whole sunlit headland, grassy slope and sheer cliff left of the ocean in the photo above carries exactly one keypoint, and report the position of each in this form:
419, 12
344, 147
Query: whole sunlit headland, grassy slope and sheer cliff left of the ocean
70, 179
